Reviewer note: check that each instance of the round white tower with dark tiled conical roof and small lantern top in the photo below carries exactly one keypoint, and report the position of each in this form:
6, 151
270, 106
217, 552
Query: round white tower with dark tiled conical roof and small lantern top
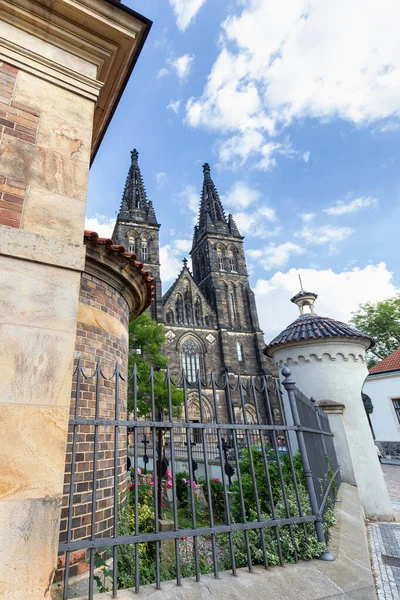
327, 361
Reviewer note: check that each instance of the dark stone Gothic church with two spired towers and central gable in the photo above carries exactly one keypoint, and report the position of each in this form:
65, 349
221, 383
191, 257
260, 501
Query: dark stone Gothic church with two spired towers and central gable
210, 314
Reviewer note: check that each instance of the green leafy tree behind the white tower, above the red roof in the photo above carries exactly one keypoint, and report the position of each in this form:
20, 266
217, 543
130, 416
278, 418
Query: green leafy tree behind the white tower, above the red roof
382, 322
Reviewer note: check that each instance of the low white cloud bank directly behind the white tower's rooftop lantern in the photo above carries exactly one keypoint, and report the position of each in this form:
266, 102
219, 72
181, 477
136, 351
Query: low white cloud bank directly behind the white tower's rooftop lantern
339, 294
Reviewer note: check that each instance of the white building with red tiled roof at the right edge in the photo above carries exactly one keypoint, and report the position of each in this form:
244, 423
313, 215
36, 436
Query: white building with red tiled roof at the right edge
383, 387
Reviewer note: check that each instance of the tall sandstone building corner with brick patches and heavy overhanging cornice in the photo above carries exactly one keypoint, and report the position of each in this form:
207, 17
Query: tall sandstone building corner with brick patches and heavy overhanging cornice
55, 57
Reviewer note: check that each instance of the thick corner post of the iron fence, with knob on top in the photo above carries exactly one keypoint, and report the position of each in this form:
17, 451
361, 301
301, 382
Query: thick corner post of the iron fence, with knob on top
289, 386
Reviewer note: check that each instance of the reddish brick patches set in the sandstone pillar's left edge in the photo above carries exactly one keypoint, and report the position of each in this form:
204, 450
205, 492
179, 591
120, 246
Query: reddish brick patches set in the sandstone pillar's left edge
22, 122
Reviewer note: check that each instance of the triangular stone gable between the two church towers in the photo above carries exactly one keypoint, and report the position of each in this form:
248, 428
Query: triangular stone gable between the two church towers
185, 304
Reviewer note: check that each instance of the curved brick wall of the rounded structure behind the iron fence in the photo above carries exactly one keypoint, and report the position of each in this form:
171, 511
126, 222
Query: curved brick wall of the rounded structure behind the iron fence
91, 344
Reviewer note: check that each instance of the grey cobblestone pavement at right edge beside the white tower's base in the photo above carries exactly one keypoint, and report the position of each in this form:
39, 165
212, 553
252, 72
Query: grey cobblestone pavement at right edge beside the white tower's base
385, 543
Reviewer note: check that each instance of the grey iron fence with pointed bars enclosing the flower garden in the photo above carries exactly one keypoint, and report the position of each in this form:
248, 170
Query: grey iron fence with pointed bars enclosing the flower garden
261, 497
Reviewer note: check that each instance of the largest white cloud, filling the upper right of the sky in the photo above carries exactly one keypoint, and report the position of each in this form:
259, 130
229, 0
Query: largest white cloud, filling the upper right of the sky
281, 62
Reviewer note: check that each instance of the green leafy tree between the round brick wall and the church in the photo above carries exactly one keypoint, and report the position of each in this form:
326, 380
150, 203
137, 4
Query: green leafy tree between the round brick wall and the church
146, 339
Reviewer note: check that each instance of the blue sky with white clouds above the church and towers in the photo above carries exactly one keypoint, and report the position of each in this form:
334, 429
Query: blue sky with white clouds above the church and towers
296, 107
